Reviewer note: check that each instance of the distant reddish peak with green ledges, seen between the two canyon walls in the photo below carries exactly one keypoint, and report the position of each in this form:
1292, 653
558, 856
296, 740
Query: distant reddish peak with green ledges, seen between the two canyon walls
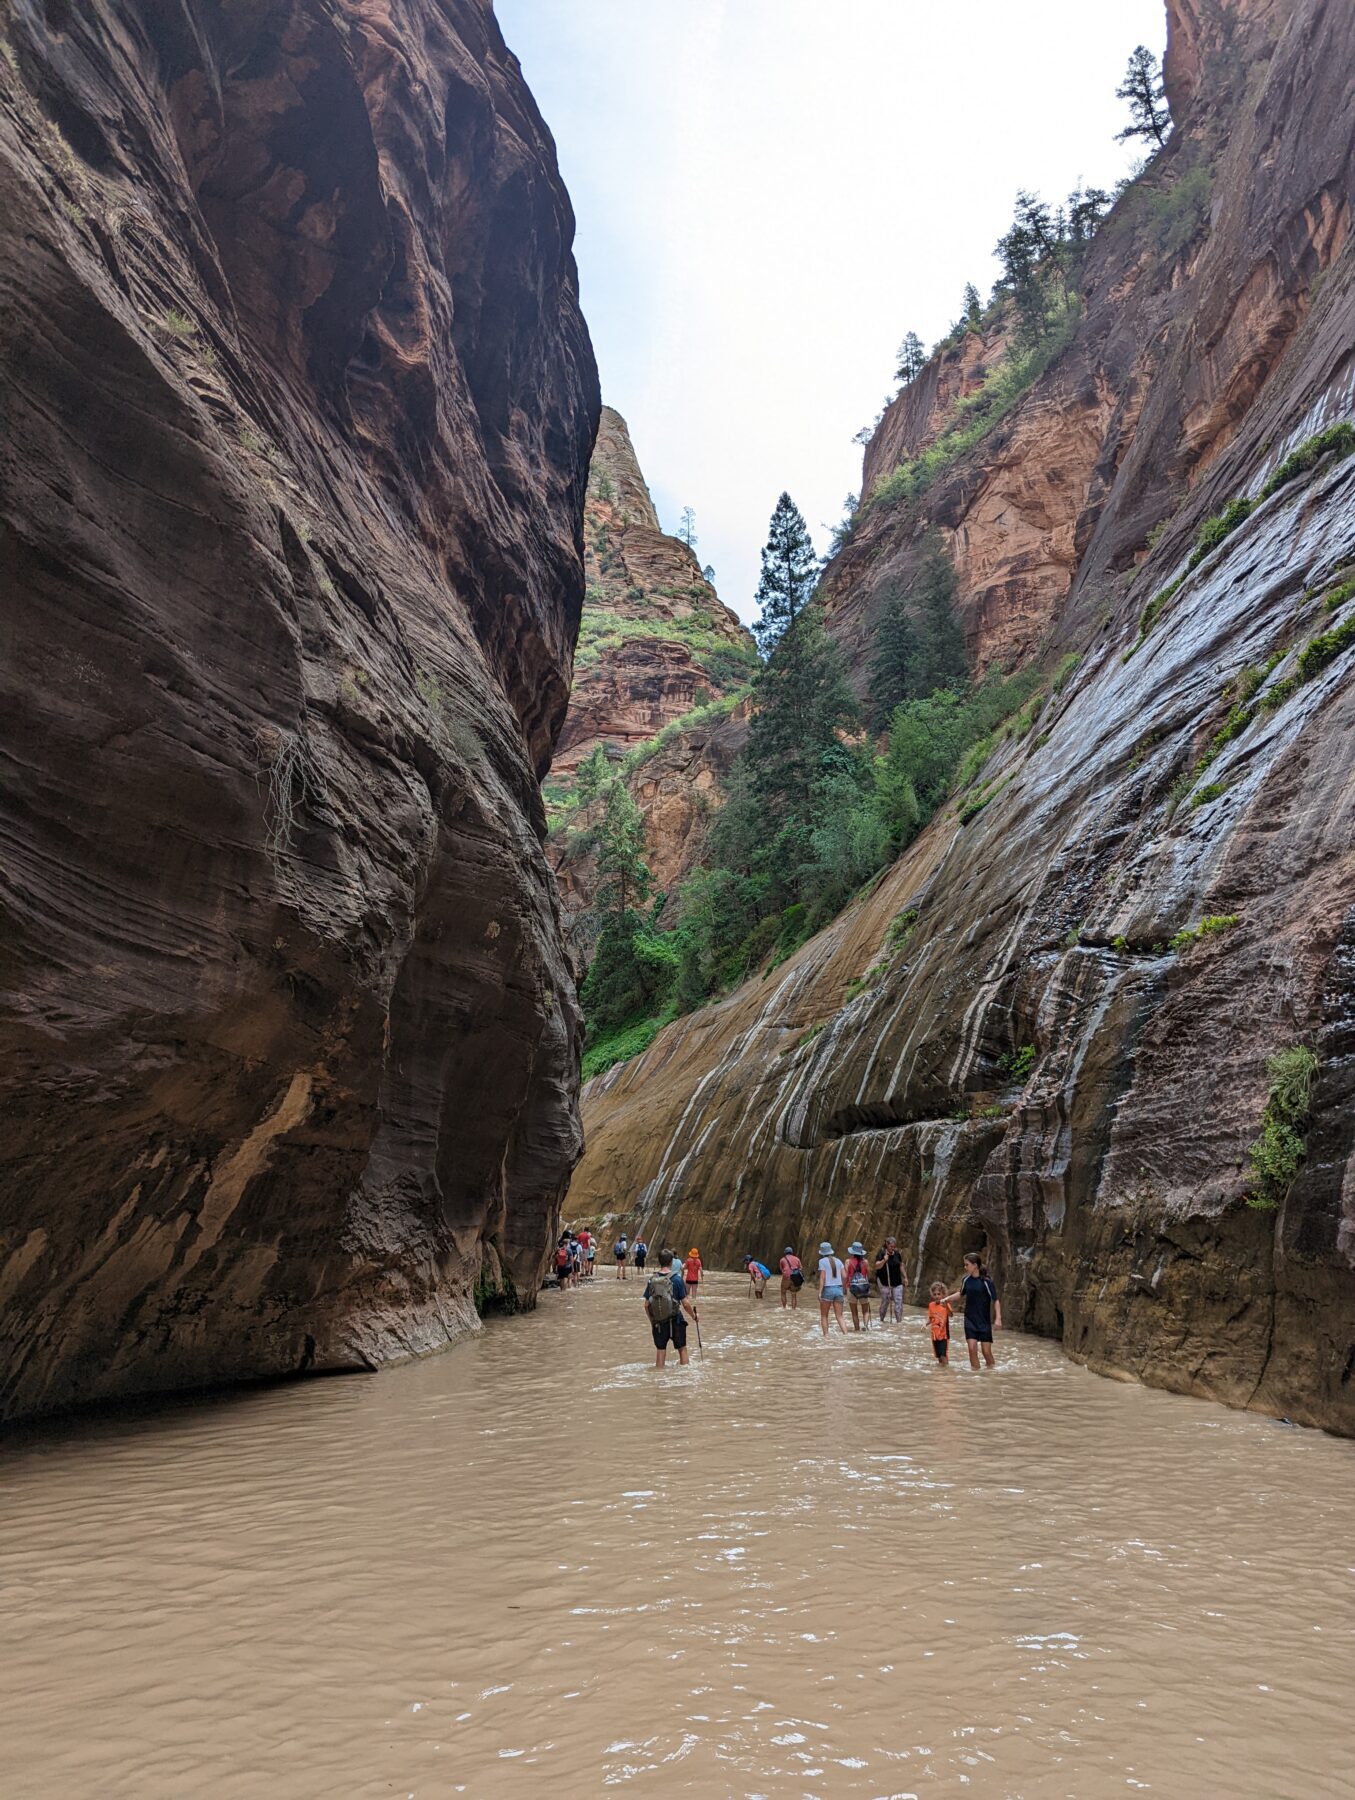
658, 645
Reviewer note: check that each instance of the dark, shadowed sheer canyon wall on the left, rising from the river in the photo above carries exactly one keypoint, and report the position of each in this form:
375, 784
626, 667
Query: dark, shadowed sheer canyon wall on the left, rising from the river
296, 426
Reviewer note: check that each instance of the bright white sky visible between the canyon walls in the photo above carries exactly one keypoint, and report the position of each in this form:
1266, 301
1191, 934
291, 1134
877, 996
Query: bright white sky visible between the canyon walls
771, 193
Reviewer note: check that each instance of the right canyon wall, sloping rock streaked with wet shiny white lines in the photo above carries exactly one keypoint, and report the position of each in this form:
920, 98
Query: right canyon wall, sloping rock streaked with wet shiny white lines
1032, 1065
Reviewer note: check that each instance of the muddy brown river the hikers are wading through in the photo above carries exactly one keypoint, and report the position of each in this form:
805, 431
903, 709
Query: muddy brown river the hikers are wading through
796, 1569
